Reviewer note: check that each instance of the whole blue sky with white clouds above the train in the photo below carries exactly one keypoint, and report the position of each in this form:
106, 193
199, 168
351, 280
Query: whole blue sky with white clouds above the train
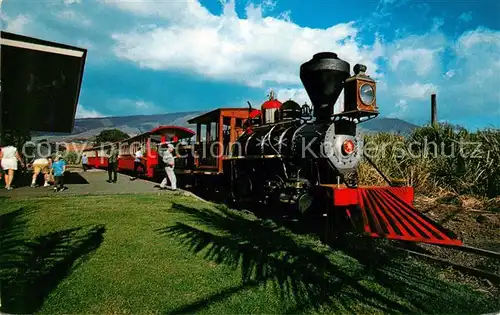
164, 56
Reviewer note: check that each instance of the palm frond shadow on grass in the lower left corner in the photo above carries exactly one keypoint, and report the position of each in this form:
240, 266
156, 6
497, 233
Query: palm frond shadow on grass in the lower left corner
31, 269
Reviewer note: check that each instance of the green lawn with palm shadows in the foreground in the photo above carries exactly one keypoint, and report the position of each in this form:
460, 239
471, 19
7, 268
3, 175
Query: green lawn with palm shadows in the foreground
174, 254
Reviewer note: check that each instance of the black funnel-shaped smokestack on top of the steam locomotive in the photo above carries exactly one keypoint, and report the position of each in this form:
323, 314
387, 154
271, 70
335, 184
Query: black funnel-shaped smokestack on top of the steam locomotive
323, 78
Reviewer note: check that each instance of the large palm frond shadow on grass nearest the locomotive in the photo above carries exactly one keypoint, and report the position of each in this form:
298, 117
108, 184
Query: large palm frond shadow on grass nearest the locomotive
301, 273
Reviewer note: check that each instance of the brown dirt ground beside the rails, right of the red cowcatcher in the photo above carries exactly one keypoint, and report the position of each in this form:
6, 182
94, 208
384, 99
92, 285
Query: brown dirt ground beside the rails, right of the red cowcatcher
476, 222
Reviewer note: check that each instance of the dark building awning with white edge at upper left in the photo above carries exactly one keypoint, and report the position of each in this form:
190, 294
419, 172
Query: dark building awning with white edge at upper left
40, 84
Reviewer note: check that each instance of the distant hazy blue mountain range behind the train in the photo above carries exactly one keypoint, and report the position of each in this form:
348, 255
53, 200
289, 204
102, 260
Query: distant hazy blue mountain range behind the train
132, 125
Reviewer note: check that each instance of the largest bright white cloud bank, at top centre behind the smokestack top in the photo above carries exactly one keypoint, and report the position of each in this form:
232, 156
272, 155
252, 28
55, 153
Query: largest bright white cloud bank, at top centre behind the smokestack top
251, 51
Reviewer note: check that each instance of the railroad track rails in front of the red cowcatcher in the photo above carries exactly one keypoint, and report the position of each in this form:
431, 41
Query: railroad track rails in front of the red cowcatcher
493, 277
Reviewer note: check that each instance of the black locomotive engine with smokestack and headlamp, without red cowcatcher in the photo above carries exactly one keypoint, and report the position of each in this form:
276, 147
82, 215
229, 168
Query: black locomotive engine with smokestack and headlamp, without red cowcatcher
283, 155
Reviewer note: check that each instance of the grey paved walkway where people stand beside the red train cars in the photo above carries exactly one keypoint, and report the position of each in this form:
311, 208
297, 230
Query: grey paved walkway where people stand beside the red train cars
92, 182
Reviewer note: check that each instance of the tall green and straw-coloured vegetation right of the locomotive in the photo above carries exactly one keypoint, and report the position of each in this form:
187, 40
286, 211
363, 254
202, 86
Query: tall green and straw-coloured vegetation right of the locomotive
439, 156
